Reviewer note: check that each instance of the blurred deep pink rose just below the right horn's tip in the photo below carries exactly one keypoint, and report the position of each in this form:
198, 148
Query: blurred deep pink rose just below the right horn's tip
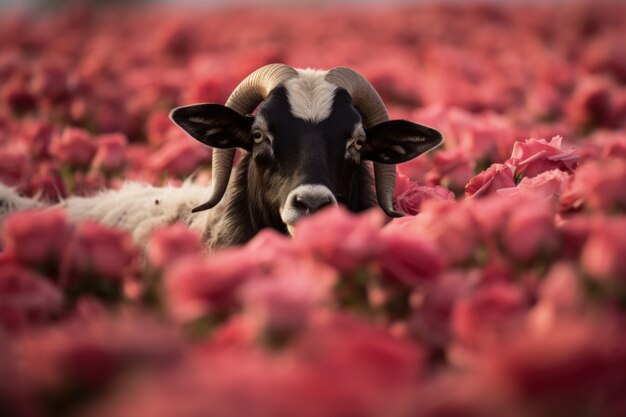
408, 258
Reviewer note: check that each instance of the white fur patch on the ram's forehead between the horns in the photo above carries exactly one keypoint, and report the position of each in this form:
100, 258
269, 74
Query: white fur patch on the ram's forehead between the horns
310, 96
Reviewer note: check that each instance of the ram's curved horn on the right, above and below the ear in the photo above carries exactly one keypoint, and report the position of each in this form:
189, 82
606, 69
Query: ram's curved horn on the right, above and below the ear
369, 104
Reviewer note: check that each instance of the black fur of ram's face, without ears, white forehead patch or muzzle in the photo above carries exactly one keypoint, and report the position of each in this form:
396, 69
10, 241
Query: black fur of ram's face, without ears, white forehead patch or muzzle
289, 152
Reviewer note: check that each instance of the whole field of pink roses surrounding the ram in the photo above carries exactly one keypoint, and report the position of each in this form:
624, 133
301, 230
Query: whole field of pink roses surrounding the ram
501, 292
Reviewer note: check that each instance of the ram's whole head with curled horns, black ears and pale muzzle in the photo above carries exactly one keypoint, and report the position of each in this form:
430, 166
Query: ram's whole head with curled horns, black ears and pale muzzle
308, 139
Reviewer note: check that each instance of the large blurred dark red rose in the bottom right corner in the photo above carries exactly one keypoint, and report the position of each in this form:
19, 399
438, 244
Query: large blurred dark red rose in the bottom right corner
570, 367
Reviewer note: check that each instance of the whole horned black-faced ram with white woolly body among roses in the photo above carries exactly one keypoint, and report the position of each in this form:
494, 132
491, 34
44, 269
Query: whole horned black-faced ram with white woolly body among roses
308, 145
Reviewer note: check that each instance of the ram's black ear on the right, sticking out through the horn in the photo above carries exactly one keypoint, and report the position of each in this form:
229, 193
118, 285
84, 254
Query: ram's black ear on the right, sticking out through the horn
396, 141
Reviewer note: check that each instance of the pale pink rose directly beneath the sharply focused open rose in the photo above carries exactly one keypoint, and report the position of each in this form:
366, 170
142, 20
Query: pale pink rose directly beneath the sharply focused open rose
546, 185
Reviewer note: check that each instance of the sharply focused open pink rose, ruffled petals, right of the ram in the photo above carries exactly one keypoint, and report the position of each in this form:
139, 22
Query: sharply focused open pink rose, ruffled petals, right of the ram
534, 156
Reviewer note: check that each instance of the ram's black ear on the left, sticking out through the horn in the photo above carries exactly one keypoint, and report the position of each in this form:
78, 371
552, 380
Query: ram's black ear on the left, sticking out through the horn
215, 125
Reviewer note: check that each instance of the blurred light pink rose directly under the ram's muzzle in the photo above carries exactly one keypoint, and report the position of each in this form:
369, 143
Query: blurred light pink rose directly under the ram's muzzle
341, 239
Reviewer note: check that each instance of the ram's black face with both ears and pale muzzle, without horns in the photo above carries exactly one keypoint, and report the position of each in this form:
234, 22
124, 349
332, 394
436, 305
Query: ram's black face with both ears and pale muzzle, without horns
295, 166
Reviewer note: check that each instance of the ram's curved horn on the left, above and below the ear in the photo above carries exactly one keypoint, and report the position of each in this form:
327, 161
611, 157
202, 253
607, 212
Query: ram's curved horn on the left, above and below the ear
244, 99
